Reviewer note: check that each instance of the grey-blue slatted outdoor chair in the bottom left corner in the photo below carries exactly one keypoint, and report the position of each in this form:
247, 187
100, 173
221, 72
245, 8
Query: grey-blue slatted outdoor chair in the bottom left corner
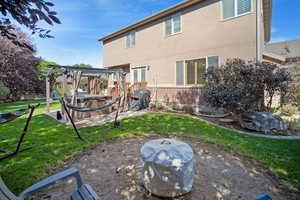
84, 191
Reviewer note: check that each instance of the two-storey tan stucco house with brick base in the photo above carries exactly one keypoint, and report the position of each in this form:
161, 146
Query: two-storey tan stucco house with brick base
172, 49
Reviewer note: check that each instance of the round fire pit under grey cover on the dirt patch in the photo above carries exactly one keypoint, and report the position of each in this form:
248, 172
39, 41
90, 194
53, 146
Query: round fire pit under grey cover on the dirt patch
168, 167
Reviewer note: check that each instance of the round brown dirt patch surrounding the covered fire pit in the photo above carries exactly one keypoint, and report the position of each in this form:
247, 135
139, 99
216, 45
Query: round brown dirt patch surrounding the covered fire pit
113, 168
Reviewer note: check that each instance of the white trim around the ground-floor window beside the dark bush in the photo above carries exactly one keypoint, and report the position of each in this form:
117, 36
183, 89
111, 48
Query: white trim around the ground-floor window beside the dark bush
184, 71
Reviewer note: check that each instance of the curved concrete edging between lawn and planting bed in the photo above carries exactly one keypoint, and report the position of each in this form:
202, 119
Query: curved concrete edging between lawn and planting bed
244, 132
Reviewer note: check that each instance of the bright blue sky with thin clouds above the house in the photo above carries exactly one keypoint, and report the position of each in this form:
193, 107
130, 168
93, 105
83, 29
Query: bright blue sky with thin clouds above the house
85, 21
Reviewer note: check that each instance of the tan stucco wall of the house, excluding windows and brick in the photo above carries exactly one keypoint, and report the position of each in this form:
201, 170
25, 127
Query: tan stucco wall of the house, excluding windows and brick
203, 34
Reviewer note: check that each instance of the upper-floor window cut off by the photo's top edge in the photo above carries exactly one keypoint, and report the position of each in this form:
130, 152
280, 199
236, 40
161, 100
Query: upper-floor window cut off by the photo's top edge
234, 8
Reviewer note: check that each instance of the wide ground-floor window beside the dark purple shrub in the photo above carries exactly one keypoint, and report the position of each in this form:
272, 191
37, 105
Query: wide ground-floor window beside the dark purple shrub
192, 72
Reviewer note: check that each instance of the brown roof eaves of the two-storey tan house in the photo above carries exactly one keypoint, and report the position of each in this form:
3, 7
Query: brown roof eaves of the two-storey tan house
267, 6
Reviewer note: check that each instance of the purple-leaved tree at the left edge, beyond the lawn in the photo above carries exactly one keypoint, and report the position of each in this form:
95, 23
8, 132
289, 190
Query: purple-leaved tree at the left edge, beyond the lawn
18, 67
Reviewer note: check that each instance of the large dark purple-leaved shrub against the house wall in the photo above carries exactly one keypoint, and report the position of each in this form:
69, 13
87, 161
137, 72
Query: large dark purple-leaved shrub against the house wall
240, 86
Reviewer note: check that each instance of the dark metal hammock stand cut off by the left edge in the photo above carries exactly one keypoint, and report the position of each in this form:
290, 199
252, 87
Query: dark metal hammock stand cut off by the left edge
12, 116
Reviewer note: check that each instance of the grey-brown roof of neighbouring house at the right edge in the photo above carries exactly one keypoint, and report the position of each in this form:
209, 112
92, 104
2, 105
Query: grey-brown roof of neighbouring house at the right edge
288, 49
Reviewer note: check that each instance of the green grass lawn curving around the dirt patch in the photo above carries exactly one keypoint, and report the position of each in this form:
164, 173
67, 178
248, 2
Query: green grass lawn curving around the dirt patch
21, 171
